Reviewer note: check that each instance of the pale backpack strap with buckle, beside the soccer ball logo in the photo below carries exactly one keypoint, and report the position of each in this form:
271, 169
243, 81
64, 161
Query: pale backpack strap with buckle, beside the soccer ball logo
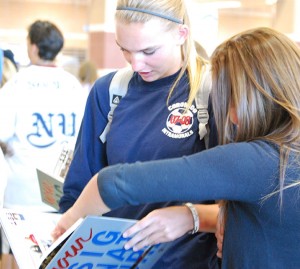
201, 101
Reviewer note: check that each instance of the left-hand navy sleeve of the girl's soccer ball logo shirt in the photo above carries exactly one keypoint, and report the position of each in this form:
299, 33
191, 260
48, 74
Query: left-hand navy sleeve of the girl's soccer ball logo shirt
90, 153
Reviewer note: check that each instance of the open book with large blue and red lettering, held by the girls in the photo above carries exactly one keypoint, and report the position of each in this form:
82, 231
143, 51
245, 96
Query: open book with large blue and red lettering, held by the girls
92, 242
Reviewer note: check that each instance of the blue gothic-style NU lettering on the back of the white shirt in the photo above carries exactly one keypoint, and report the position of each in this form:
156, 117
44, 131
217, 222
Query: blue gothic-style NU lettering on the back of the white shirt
45, 131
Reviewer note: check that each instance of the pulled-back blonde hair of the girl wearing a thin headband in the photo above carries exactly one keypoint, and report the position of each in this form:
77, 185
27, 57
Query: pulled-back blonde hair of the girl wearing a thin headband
192, 62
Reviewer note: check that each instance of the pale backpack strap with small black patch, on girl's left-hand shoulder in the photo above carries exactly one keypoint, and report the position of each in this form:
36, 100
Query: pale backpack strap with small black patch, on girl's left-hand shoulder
117, 90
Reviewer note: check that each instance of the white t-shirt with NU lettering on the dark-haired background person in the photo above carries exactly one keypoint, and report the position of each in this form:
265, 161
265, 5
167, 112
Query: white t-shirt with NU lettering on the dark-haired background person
40, 109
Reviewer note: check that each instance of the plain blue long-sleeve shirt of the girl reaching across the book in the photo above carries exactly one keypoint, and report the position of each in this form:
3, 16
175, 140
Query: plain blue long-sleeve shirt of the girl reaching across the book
261, 232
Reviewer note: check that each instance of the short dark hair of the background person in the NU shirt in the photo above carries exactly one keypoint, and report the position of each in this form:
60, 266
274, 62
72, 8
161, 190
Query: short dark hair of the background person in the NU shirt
48, 38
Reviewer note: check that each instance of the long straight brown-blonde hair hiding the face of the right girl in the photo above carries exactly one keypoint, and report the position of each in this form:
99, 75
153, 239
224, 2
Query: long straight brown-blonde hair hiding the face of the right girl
257, 72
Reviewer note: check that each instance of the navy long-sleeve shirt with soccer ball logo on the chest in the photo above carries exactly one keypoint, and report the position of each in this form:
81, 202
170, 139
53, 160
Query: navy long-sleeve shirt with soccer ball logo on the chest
144, 127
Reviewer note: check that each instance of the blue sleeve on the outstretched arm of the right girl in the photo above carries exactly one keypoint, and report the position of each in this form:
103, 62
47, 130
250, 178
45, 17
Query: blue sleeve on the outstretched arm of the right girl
239, 172
